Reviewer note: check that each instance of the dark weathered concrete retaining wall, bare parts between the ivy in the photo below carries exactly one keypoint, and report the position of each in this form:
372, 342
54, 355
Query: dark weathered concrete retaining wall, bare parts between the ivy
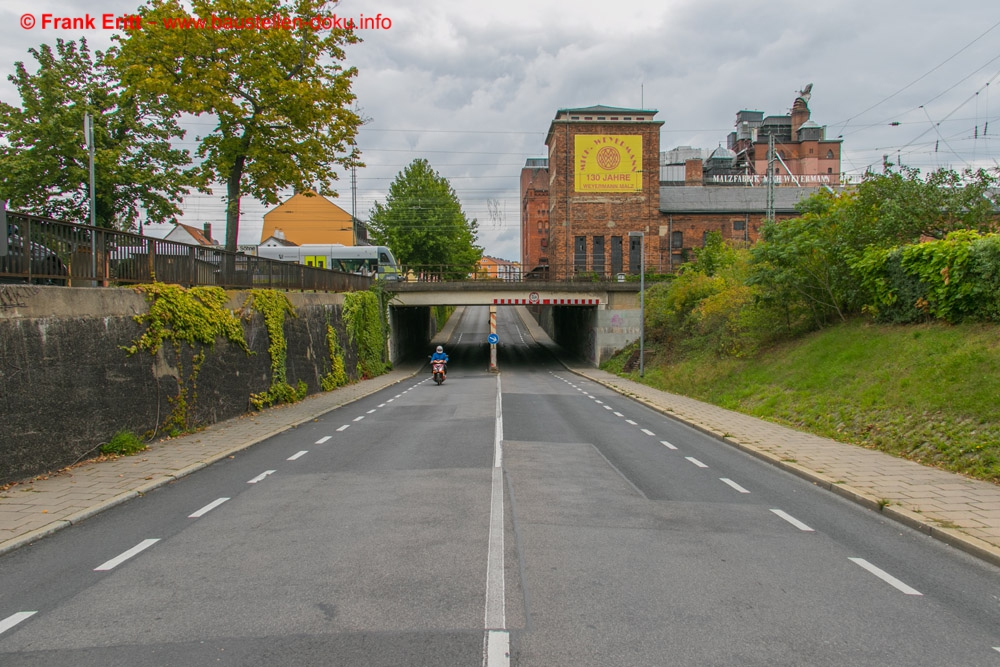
66, 384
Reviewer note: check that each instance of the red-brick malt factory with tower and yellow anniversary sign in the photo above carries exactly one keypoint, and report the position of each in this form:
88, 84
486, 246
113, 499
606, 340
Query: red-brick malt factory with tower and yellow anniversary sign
605, 177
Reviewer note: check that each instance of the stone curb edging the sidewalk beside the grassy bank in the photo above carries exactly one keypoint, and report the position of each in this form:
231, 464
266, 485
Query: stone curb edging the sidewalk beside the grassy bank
950, 536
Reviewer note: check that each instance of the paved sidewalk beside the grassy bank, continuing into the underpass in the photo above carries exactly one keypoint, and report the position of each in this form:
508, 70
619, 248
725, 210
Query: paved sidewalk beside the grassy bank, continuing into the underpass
962, 512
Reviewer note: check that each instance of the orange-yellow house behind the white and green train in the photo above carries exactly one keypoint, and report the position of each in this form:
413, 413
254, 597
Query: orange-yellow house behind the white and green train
310, 218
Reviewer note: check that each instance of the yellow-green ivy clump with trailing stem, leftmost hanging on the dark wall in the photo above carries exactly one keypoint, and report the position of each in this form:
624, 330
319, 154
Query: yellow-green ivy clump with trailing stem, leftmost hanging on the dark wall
194, 317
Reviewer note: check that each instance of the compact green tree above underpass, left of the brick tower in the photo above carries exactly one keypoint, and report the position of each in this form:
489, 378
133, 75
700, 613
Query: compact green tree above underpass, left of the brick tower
423, 224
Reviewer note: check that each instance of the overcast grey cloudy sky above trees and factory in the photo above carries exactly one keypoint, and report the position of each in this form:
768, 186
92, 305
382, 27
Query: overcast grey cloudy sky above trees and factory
472, 85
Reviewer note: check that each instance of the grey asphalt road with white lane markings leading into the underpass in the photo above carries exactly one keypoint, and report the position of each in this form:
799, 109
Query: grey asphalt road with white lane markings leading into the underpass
531, 511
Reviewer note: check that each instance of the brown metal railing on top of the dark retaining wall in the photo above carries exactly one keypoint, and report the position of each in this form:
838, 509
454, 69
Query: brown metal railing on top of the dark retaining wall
46, 251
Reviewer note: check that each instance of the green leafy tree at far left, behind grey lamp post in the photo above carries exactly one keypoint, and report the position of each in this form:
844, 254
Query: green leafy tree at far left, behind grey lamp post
44, 163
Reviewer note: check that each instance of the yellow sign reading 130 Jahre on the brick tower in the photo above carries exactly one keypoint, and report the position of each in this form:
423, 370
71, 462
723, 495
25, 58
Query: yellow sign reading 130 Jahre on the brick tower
608, 163
